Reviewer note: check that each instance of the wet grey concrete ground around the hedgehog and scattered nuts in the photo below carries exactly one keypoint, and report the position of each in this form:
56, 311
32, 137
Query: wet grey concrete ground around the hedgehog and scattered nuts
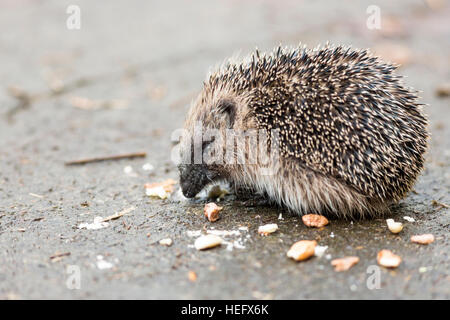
153, 56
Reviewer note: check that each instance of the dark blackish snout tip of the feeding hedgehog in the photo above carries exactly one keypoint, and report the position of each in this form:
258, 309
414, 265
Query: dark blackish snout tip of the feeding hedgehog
193, 178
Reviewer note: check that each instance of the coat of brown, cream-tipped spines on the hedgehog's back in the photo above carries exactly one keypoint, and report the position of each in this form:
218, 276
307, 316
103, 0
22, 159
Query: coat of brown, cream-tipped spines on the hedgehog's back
342, 113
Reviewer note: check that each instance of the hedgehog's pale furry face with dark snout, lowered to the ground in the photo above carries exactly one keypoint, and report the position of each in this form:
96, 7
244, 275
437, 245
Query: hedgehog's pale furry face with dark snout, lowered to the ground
203, 145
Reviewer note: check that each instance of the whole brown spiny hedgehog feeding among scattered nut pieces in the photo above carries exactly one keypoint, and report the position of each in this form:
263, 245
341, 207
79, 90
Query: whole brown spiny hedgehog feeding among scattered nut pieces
341, 133
